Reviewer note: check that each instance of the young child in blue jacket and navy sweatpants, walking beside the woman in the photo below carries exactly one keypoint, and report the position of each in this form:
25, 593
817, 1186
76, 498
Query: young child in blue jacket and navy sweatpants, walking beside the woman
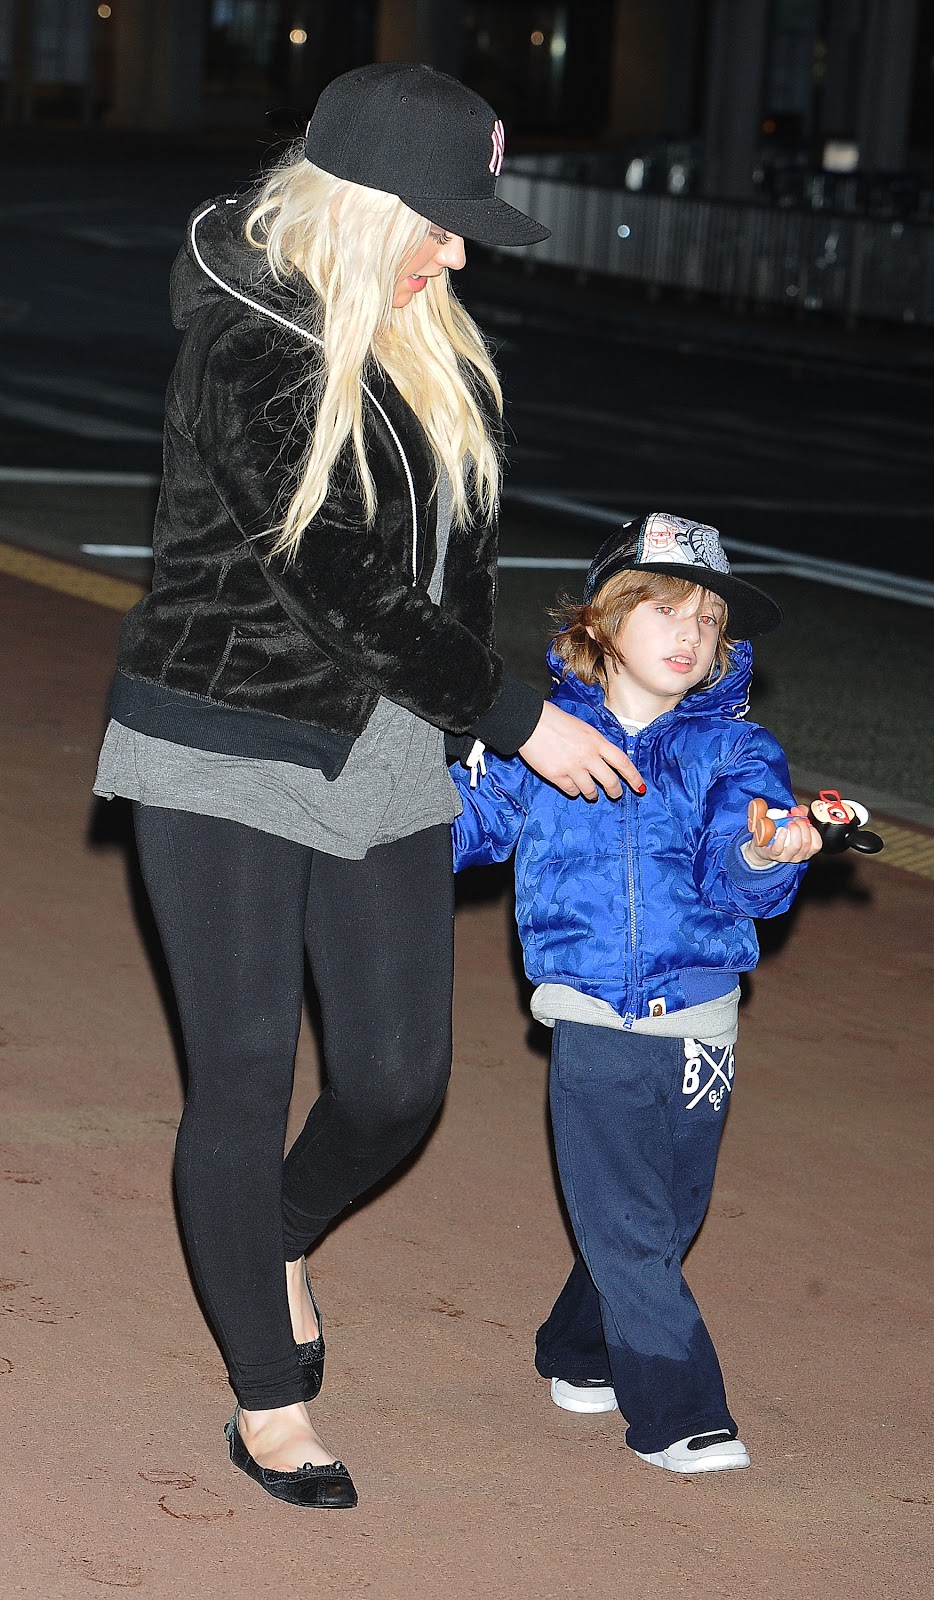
636, 919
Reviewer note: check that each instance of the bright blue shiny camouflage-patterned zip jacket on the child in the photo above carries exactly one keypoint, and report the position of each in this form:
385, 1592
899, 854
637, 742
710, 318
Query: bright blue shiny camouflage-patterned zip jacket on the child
644, 898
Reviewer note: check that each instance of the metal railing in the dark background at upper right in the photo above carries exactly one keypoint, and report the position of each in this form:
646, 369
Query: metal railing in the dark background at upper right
852, 266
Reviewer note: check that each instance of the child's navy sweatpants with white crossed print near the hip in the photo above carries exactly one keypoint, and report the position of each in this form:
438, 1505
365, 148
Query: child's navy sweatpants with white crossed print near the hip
637, 1126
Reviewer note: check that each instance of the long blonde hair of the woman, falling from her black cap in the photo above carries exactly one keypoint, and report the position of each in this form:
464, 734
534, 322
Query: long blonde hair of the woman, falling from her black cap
353, 244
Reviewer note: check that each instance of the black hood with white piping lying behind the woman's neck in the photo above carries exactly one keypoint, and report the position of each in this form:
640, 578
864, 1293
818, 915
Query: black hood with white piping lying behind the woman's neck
217, 265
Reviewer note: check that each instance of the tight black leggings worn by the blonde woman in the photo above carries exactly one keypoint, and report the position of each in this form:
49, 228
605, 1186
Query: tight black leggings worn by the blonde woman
236, 911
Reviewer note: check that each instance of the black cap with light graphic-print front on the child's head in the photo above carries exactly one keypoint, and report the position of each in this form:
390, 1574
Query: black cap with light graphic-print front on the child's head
681, 548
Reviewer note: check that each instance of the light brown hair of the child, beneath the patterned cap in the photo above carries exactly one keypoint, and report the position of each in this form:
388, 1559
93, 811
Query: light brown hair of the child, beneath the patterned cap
612, 607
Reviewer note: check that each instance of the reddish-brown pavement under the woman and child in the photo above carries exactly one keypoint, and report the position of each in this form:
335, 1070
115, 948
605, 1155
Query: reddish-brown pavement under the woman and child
810, 1265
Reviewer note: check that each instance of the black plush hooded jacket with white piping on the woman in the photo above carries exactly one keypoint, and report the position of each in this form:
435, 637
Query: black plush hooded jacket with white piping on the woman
249, 655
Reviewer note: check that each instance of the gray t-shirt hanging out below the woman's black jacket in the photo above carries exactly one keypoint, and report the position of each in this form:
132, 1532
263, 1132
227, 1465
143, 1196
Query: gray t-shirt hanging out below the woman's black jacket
394, 783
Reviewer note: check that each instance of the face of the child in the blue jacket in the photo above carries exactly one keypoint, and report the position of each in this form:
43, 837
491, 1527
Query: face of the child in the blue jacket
668, 649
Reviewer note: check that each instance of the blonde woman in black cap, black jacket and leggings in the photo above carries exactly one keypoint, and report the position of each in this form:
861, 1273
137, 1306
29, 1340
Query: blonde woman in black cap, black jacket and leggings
321, 617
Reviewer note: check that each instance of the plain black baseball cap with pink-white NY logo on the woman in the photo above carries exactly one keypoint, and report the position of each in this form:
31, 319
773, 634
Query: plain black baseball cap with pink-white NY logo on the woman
425, 137
